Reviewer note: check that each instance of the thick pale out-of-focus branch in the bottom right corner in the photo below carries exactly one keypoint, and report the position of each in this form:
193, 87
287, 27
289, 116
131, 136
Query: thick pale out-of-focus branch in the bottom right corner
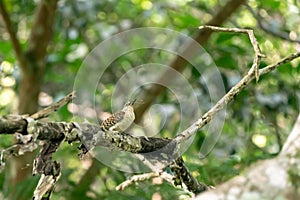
276, 178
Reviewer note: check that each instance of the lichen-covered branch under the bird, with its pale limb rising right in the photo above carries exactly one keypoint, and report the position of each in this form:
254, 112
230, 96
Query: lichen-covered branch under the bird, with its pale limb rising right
91, 135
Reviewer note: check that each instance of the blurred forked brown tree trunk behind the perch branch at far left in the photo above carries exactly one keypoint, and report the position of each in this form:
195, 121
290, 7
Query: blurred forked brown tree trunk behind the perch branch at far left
32, 64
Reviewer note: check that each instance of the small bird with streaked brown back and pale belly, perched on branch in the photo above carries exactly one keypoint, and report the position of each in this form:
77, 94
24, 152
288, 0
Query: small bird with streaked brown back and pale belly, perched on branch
121, 120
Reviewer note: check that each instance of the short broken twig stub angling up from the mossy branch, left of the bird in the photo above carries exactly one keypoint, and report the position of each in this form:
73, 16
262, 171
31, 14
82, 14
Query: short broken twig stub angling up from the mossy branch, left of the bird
49, 110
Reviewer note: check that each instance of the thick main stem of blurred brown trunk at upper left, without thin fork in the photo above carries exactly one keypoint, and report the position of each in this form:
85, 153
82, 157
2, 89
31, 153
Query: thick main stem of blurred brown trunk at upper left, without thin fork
31, 79
